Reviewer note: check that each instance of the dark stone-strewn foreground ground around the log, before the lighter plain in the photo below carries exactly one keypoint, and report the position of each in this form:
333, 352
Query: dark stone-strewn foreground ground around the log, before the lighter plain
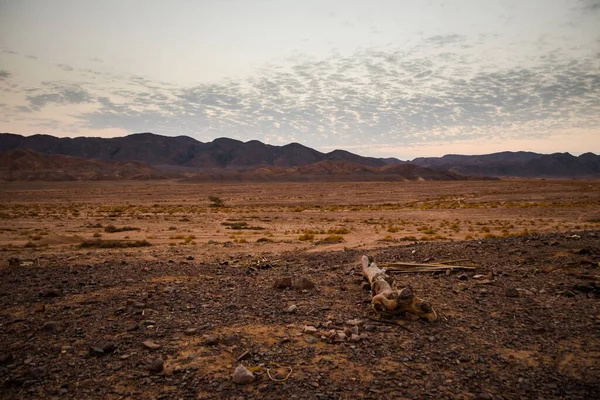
524, 325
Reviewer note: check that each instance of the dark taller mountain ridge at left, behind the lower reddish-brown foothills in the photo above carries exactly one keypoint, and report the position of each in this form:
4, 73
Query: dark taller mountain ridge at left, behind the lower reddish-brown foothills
183, 151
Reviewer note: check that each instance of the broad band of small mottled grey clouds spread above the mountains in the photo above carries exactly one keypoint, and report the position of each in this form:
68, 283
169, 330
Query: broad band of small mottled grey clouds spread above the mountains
375, 95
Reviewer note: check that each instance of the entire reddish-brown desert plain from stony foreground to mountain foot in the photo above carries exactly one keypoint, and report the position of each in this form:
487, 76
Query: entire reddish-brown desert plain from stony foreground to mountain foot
129, 273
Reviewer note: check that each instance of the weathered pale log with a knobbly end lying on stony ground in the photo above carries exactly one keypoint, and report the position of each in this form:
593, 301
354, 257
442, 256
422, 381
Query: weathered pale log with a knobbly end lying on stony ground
388, 301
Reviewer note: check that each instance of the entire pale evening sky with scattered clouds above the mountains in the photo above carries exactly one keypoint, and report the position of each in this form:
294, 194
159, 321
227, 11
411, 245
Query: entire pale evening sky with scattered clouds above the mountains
383, 78
